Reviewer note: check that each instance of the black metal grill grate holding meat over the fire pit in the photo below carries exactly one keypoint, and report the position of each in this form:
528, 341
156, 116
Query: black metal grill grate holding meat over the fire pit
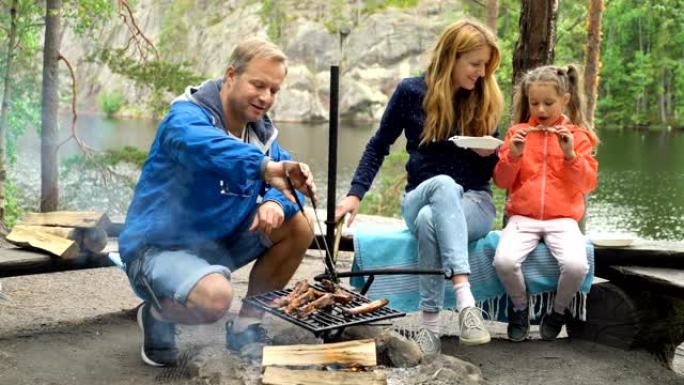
328, 319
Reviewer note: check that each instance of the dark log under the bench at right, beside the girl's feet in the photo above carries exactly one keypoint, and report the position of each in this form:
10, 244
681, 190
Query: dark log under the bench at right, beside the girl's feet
628, 316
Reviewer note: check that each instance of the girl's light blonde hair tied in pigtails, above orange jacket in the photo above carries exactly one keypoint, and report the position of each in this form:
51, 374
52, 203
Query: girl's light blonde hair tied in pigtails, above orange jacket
565, 80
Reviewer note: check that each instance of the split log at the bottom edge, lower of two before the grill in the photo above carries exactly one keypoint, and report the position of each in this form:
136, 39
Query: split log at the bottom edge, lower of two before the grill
280, 376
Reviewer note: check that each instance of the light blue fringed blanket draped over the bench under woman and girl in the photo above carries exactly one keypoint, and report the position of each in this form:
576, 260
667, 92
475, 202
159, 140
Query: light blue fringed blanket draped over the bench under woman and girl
380, 247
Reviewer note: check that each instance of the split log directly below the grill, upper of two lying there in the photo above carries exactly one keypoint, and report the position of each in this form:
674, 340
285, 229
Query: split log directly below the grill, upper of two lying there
346, 354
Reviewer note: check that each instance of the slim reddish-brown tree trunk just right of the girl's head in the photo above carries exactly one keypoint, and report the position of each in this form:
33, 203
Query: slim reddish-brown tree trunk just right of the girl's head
592, 60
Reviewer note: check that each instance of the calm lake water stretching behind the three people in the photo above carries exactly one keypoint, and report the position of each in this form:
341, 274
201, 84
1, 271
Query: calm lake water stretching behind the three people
641, 174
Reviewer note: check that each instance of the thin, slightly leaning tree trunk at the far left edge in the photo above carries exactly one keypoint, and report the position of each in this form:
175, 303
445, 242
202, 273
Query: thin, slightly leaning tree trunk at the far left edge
4, 110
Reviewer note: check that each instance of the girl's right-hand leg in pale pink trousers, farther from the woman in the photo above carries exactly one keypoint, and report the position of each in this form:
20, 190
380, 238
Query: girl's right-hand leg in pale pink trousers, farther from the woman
567, 245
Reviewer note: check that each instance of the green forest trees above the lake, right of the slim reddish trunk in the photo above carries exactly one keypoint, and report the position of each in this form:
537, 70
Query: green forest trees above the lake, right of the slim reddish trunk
642, 73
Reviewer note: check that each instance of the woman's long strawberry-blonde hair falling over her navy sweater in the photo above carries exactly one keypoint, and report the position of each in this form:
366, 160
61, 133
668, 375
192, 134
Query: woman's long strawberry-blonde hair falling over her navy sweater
474, 113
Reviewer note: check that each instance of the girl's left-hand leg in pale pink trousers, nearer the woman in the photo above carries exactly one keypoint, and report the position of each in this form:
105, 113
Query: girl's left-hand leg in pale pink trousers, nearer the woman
520, 236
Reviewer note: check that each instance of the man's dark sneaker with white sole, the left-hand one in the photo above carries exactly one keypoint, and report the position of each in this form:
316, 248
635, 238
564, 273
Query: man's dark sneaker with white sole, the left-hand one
158, 339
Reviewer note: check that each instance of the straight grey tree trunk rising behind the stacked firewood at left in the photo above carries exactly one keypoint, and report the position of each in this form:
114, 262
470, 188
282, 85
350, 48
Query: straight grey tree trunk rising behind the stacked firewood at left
49, 173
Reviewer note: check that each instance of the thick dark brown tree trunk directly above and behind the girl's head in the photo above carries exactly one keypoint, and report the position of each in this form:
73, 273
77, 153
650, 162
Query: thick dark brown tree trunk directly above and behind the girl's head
537, 38
